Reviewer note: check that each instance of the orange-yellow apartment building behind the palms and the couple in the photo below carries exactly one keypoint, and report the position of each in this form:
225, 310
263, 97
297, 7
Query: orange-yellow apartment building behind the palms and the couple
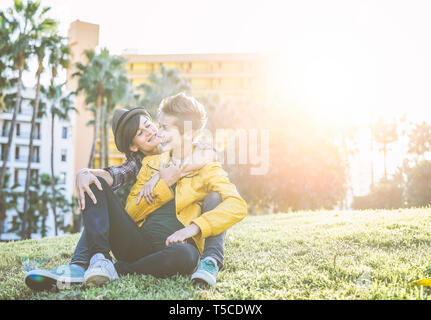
236, 77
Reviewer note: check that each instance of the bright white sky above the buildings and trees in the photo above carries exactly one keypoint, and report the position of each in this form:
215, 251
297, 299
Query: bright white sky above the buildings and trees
348, 59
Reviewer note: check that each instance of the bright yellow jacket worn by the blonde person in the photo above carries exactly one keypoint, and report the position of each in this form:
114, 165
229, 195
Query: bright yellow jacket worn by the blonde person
189, 192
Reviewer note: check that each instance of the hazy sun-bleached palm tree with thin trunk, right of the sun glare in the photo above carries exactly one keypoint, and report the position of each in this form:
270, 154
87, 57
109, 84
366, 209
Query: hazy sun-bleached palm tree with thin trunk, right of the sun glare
385, 133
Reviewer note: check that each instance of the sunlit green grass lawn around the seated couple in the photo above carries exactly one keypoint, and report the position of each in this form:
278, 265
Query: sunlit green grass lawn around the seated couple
305, 255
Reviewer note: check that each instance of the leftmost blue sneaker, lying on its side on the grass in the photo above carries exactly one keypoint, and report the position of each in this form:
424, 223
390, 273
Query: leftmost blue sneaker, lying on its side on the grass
58, 278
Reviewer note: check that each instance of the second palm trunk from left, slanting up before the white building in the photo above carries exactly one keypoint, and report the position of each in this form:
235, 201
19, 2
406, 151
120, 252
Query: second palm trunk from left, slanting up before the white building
26, 231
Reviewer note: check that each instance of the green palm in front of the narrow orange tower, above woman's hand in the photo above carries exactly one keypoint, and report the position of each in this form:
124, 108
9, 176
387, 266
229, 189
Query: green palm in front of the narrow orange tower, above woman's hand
93, 78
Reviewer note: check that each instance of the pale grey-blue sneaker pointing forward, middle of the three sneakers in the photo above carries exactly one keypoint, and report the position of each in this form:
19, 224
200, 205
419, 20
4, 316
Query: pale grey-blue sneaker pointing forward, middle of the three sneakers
100, 271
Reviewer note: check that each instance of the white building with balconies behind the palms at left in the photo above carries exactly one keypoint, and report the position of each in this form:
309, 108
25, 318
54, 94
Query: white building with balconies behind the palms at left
18, 156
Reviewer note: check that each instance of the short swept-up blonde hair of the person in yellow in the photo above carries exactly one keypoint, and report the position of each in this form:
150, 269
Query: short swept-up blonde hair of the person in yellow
185, 108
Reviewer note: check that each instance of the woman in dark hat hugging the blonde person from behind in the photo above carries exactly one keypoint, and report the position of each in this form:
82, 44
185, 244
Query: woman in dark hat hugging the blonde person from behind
137, 138
